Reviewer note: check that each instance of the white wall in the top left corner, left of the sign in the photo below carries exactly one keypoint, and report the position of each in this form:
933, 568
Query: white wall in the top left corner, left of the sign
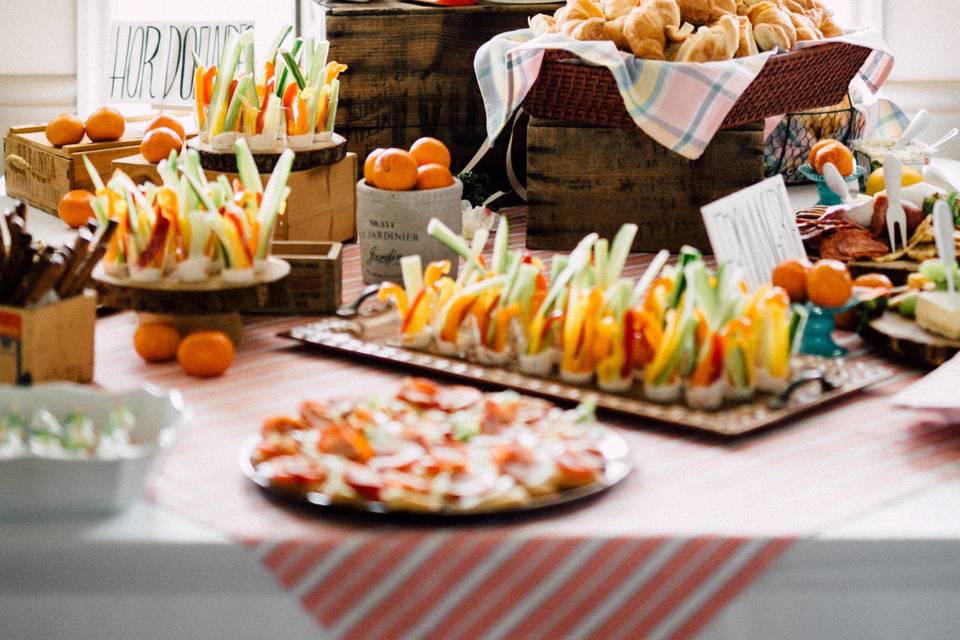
37, 60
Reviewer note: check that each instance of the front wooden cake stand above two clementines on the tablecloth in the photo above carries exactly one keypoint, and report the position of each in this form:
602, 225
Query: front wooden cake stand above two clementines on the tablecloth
191, 306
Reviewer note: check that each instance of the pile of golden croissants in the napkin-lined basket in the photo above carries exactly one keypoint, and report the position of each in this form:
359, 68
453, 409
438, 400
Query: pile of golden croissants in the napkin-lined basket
692, 30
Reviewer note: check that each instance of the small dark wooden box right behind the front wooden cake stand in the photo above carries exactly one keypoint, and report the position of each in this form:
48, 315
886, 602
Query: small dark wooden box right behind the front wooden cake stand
315, 280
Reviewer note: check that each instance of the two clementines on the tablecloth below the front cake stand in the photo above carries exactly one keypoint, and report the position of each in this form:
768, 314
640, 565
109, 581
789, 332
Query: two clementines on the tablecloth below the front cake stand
205, 354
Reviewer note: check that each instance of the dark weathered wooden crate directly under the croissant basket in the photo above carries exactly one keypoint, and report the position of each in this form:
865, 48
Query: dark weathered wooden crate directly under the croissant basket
585, 179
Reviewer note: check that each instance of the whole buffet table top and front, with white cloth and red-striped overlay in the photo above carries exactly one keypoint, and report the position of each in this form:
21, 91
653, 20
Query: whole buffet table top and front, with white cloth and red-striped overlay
843, 524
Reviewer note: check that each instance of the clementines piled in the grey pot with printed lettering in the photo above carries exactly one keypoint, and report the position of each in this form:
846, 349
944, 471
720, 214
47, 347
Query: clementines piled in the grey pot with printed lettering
425, 166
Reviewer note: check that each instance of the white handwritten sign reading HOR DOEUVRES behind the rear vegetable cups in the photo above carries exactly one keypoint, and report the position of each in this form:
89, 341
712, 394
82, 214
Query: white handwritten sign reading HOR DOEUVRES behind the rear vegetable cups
151, 61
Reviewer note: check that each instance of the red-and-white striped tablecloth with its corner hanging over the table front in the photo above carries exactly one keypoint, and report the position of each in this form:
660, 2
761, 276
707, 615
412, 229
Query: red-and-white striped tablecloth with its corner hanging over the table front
658, 556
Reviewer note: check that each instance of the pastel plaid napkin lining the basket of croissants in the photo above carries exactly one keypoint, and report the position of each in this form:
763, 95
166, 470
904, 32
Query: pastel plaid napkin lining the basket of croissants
680, 105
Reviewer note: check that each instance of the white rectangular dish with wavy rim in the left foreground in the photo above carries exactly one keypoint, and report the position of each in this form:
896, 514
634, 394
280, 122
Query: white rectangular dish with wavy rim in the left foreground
35, 485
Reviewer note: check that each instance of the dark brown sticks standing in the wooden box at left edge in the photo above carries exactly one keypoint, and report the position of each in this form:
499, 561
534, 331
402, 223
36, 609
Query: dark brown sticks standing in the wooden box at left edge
32, 274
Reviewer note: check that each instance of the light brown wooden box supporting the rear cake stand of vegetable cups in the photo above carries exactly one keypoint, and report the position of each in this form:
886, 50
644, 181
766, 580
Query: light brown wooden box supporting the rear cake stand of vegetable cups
322, 203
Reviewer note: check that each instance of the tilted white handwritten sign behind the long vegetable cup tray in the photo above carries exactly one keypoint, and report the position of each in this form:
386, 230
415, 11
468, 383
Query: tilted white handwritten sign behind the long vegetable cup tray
755, 229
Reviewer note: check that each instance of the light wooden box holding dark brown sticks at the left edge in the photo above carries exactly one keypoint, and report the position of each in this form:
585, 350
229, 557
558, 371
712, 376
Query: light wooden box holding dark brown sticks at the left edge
49, 342
